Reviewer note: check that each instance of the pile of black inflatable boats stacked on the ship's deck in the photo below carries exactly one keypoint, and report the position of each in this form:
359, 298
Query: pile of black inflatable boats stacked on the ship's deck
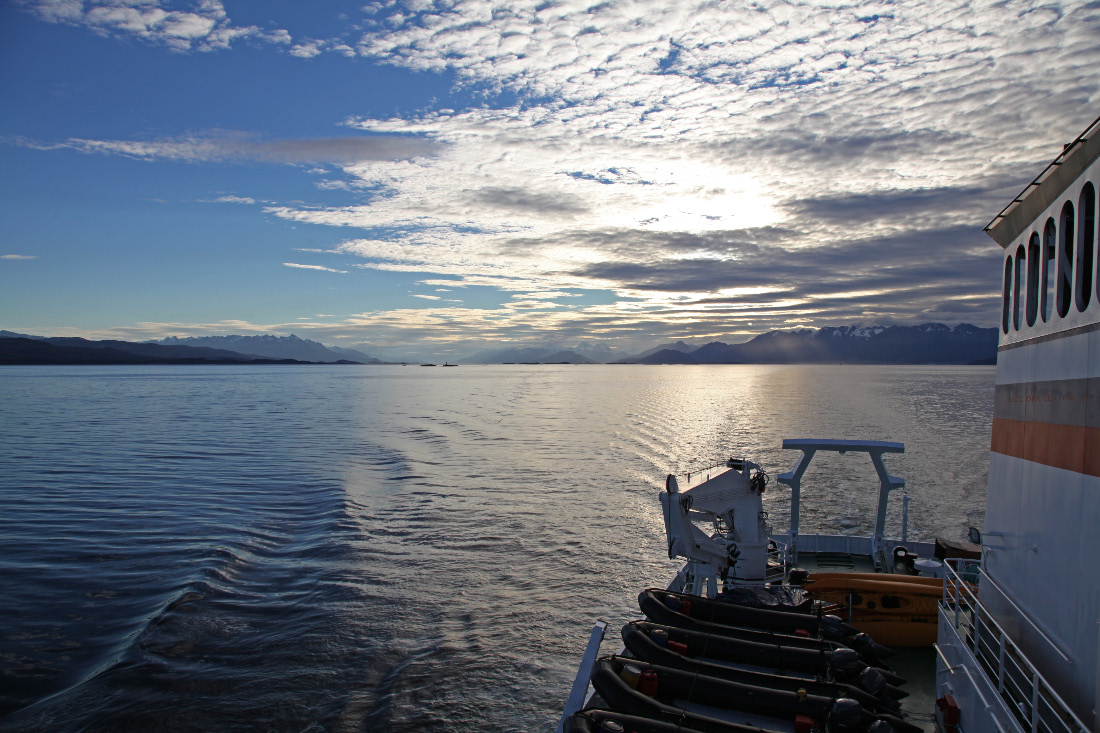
730, 665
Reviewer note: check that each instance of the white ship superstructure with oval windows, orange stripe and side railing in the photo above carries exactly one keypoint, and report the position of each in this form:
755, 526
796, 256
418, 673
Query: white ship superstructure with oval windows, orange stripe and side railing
1033, 641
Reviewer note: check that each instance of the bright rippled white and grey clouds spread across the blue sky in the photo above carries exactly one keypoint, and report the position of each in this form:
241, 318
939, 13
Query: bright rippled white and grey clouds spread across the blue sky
713, 166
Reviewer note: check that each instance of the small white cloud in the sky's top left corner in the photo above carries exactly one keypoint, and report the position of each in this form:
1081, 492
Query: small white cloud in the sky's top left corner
204, 26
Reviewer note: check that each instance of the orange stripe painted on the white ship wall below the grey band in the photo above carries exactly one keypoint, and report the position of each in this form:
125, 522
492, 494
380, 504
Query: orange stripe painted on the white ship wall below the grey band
1070, 447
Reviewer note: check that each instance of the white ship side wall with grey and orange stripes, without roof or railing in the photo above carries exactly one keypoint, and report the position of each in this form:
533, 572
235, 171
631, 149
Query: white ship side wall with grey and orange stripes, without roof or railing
1043, 502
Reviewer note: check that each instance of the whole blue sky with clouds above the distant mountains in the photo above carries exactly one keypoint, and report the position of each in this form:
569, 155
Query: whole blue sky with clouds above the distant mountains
435, 178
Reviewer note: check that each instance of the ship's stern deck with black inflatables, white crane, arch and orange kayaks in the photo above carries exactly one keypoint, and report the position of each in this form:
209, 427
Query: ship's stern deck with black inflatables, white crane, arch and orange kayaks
744, 639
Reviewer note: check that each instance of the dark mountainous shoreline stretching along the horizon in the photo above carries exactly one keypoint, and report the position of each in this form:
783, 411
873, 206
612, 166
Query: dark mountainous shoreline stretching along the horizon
929, 344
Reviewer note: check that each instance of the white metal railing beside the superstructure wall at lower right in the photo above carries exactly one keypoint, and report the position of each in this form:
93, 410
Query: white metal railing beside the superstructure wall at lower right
1035, 704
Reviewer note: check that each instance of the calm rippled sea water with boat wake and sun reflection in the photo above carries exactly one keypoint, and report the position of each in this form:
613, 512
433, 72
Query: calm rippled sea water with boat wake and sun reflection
395, 549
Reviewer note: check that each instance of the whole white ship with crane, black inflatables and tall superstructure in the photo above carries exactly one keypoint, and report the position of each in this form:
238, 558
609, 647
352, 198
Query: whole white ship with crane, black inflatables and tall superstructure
766, 631
